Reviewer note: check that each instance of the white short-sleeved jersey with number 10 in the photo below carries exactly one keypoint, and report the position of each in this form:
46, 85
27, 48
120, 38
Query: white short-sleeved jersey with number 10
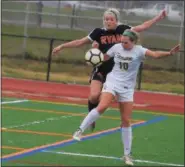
127, 62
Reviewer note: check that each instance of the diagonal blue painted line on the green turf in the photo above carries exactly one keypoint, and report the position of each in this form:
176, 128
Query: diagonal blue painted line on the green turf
63, 144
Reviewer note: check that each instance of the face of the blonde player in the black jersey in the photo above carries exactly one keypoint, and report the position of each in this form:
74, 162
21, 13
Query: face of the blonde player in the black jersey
110, 22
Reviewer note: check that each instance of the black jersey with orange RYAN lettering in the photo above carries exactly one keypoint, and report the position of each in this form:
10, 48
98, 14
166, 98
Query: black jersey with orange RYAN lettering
106, 39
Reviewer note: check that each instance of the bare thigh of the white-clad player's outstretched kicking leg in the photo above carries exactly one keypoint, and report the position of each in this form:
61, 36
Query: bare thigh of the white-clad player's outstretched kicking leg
105, 101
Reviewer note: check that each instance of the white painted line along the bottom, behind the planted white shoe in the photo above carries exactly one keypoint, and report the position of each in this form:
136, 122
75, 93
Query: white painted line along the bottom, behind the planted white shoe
110, 157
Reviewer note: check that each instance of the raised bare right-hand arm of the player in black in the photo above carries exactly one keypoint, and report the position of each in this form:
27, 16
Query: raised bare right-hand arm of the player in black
149, 23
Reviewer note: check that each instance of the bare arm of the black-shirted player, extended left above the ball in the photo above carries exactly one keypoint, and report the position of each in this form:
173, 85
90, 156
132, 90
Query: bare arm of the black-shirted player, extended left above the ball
72, 44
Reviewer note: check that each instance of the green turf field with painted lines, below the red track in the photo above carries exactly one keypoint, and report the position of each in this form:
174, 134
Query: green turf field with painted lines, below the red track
30, 125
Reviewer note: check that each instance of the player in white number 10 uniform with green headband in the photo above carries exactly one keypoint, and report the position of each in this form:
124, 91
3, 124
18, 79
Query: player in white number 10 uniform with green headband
121, 82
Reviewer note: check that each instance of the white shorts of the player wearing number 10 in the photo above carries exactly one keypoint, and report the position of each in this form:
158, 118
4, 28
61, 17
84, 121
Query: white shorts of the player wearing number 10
123, 95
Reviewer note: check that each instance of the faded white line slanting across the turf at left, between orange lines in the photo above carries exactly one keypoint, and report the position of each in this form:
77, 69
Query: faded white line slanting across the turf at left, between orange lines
37, 122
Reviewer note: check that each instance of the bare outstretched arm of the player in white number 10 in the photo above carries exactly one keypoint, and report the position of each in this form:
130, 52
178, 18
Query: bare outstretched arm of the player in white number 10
158, 54
